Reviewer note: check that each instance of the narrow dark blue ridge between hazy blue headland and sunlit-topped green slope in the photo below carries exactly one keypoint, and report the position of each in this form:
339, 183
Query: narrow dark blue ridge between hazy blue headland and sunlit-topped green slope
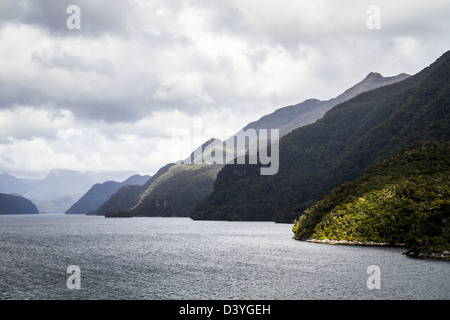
128, 196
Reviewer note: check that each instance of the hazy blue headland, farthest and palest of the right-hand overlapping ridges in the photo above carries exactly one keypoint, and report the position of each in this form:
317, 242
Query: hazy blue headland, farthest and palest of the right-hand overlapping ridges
100, 192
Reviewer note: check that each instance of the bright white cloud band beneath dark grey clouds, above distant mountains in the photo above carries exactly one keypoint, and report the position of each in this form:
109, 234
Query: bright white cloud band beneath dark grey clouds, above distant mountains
36, 140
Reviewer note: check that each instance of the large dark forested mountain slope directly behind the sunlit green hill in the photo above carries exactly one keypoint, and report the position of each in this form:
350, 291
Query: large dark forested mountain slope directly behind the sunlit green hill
339, 147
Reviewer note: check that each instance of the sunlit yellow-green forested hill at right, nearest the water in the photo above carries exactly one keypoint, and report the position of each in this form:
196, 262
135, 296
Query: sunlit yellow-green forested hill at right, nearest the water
403, 199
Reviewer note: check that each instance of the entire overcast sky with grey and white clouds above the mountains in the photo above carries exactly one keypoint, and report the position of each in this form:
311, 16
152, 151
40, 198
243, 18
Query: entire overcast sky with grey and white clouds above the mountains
123, 84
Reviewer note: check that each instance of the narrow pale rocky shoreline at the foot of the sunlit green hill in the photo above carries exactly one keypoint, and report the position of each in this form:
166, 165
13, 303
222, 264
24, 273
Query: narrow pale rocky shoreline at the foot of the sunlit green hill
445, 255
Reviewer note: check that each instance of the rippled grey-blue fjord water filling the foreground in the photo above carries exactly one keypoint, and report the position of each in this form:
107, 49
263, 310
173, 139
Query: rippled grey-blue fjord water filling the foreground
177, 258
